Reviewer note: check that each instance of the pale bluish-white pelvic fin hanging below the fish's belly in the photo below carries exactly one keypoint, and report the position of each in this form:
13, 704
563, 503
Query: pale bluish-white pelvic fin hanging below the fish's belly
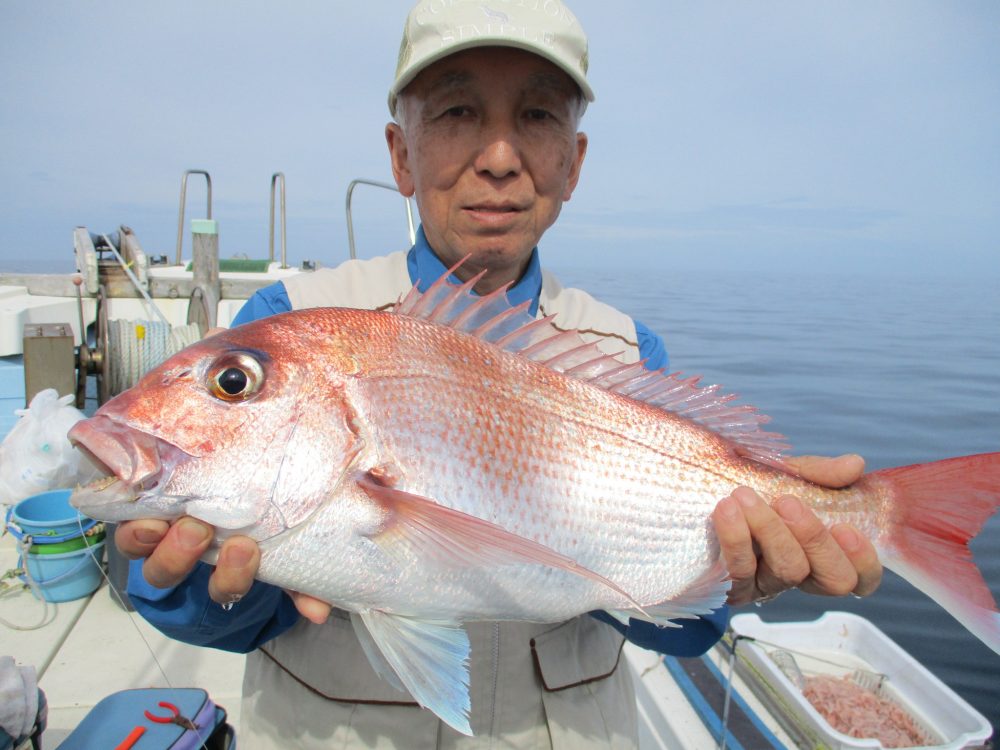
430, 658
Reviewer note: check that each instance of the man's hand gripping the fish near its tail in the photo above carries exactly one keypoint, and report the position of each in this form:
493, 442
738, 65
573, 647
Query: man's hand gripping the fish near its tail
771, 548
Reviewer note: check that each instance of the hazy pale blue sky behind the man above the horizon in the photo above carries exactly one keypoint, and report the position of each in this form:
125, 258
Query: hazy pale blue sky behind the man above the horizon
794, 135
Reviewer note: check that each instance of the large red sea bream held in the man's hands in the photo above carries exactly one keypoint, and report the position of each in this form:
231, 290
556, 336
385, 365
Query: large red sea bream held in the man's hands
456, 460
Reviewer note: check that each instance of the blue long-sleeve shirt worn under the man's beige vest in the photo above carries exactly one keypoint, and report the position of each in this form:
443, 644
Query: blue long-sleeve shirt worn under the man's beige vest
185, 612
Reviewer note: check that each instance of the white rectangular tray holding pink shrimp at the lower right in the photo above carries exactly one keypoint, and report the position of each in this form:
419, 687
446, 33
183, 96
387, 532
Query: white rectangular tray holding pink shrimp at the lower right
852, 642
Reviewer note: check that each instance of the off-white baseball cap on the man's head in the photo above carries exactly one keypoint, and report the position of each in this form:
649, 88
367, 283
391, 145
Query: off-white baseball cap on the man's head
437, 28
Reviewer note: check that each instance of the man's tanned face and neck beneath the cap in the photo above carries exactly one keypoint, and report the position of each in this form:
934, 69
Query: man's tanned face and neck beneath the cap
488, 145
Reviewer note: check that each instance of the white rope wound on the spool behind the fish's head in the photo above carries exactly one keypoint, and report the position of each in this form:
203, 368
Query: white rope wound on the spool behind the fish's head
137, 346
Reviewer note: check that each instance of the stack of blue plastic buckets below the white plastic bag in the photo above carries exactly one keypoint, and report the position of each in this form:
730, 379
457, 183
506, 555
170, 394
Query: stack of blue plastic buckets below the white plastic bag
48, 518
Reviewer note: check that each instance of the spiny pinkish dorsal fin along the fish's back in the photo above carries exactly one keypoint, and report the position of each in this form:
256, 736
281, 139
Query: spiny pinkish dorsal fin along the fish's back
493, 319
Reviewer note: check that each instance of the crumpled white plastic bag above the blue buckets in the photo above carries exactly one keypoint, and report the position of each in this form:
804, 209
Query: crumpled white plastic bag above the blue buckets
36, 455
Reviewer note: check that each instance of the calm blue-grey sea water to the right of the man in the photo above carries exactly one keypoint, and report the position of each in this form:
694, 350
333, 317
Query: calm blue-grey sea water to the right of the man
899, 370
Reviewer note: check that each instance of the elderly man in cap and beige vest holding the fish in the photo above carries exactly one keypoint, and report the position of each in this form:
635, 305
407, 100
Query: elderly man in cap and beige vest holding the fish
486, 101
